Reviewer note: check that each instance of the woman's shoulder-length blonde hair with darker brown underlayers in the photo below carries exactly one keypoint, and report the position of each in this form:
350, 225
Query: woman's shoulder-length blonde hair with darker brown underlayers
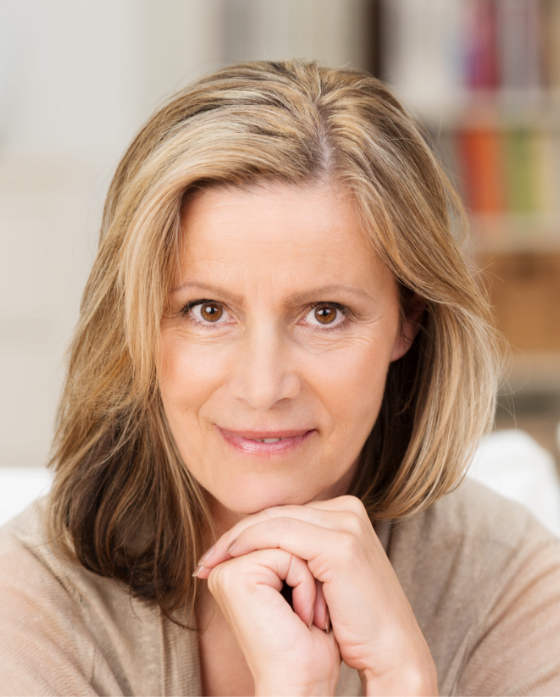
124, 503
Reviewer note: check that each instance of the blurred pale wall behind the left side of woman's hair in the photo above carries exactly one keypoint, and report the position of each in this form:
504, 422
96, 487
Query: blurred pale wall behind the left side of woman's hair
77, 78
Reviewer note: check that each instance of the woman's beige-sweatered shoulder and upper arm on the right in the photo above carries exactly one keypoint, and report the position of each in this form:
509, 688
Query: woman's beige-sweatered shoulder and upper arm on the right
483, 578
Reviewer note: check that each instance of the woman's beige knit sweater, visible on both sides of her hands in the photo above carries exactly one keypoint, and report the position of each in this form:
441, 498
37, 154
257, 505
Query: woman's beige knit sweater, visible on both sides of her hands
482, 576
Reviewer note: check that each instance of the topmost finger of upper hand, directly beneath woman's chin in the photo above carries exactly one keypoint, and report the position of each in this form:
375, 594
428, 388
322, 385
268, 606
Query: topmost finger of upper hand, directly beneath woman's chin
342, 513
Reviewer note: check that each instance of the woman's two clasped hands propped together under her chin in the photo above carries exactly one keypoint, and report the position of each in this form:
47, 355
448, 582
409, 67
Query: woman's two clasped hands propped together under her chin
328, 552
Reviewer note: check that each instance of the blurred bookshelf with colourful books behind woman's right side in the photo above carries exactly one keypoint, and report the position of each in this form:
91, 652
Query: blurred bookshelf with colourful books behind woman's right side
484, 77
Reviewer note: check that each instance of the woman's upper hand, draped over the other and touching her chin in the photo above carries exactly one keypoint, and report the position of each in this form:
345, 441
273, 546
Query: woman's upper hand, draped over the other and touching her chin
372, 621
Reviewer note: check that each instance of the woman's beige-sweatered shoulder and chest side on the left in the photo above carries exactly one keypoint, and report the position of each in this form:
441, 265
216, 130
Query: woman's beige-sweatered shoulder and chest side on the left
66, 630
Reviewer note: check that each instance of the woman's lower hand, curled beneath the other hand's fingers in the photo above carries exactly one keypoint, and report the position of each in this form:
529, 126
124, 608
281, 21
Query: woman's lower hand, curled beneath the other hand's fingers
286, 654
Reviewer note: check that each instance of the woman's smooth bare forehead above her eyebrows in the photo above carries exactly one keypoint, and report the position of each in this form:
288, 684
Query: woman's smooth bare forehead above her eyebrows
277, 230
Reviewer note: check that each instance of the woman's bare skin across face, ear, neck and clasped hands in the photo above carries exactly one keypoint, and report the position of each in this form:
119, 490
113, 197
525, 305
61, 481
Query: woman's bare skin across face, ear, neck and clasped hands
298, 325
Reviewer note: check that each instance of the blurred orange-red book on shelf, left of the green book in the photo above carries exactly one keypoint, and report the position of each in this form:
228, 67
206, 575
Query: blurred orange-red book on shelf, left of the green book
482, 170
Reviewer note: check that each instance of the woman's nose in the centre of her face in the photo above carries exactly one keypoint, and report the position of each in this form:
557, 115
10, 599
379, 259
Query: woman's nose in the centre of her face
264, 373
